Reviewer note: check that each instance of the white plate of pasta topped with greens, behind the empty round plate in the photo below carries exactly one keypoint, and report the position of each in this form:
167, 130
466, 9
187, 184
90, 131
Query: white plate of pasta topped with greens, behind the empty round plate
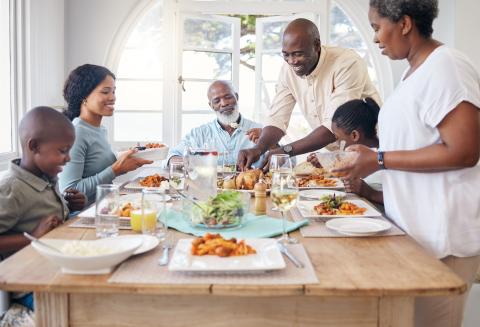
334, 206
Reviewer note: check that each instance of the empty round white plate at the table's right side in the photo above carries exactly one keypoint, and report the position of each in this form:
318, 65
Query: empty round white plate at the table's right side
358, 226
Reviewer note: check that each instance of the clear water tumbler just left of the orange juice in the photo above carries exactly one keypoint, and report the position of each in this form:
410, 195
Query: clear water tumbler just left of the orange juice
107, 210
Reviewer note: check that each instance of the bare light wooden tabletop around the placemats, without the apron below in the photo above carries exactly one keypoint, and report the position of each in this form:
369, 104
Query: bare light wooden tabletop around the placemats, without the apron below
368, 266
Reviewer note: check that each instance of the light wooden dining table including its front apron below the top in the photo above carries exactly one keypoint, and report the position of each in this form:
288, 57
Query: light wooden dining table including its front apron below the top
362, 281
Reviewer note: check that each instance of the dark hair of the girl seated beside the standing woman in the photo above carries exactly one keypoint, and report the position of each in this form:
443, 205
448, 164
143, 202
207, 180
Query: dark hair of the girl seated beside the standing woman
358, 114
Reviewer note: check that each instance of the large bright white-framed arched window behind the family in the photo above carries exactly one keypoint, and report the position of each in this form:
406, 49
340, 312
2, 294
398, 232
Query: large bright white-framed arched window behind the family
158, 55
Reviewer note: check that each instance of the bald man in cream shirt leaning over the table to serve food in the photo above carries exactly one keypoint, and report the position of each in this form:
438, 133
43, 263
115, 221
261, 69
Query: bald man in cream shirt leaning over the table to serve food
317, 78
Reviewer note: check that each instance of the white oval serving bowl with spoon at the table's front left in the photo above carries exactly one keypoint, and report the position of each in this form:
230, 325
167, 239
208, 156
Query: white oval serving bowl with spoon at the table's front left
91, 264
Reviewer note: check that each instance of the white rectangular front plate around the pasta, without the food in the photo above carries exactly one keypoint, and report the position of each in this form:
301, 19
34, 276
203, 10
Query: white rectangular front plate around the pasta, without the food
268, 257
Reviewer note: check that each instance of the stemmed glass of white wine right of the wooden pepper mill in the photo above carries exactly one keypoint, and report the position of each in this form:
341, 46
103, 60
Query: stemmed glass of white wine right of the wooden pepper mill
284, 194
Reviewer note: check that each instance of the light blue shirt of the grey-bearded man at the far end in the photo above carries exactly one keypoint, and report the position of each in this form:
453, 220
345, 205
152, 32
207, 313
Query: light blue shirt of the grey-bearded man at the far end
216, 137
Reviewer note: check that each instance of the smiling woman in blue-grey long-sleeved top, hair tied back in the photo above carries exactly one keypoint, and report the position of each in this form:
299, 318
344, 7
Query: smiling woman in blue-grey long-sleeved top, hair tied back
90, 94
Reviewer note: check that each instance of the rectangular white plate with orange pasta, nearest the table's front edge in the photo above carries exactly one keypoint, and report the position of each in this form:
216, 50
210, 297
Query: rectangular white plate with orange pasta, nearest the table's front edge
212, 253
